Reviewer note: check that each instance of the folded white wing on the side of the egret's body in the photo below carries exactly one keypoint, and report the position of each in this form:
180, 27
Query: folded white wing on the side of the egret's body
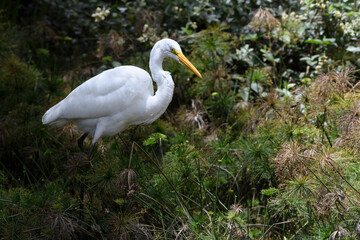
108, 93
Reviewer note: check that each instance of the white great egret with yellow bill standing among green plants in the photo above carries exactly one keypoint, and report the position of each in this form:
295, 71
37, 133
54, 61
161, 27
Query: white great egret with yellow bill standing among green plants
117, 98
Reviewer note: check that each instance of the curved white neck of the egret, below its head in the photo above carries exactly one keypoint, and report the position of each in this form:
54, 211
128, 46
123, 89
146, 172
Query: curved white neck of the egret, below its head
165, 85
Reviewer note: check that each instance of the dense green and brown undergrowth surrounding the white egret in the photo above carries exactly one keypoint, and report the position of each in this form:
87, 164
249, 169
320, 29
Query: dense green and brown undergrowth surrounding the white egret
265, 146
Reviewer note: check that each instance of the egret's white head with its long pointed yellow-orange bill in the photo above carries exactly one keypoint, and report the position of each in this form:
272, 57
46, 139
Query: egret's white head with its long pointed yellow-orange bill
173, 50
